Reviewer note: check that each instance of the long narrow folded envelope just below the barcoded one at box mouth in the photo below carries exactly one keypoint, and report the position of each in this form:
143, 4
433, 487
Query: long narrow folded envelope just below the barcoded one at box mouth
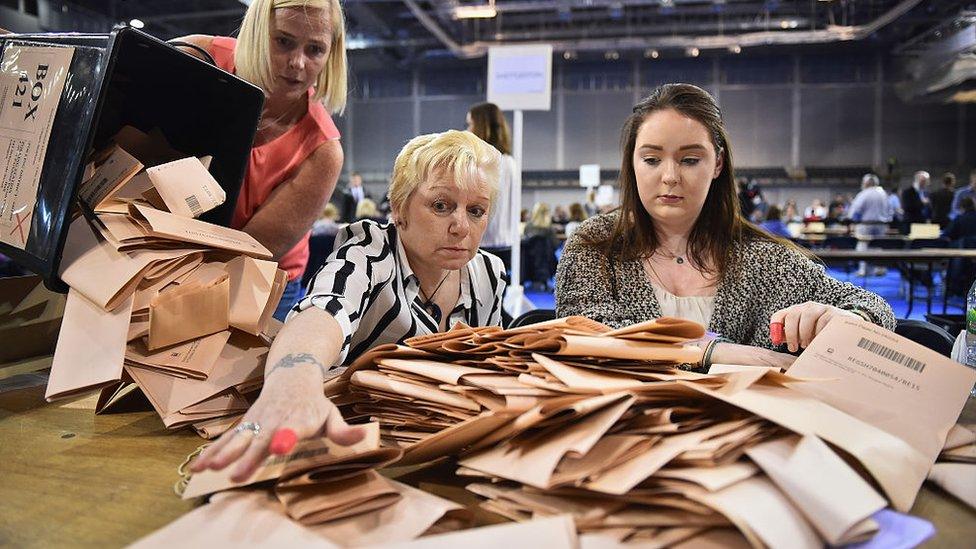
173, 227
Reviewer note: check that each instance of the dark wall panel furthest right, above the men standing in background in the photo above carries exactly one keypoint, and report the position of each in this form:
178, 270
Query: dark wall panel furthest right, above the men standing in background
918, 134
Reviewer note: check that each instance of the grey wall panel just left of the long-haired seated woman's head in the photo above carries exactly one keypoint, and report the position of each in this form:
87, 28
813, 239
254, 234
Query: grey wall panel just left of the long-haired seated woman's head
592, 127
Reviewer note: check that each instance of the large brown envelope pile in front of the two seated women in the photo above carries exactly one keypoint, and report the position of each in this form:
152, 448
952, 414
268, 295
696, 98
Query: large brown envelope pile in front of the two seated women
569, 417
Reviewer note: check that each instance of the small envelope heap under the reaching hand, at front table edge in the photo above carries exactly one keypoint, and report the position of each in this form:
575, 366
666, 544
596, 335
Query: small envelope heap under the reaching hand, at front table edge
320, 494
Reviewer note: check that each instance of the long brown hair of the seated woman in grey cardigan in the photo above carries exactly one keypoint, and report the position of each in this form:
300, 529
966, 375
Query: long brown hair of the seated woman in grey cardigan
720, 223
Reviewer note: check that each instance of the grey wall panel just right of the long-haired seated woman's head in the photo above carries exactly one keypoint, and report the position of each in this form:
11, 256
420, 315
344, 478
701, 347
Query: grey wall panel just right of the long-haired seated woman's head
759, 123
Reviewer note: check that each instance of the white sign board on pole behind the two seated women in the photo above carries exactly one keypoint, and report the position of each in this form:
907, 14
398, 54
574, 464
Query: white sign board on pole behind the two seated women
520, 77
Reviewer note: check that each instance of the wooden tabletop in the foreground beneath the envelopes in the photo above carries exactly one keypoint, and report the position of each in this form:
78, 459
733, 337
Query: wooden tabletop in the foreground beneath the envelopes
72, 479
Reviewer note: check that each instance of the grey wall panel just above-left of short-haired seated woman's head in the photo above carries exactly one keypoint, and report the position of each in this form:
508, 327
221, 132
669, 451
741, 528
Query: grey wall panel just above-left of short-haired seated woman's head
381, 128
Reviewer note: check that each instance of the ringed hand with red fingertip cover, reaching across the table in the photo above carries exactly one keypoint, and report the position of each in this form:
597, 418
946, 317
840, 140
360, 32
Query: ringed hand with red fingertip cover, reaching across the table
290, 399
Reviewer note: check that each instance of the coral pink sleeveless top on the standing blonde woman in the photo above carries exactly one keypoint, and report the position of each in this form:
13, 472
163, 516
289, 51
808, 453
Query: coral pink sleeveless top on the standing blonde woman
275, 162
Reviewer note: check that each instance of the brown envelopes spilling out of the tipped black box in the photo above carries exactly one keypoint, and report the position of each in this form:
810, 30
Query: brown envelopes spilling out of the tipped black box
179, 307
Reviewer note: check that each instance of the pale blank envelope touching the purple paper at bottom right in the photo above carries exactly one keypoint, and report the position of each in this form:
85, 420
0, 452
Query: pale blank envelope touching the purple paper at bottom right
825, 489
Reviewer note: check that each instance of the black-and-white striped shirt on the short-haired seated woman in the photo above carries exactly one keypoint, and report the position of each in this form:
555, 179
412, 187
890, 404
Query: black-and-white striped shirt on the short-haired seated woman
368, 286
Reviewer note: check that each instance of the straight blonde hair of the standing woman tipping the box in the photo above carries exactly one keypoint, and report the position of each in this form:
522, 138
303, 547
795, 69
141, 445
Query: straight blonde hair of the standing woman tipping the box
252, 56
